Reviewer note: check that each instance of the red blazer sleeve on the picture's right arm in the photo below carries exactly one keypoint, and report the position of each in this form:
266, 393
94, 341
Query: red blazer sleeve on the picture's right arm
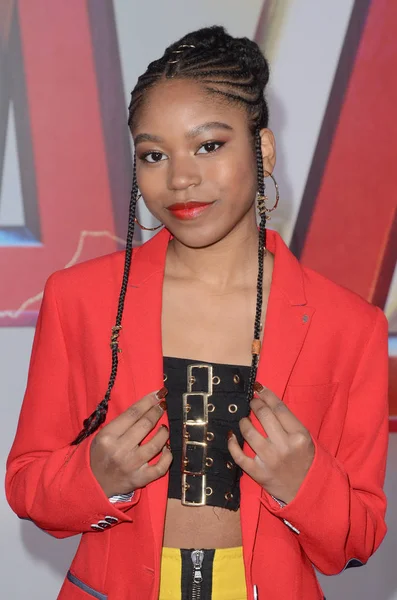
338, 513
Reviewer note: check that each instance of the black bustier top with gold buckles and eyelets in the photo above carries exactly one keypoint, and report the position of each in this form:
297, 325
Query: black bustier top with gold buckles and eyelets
204, 402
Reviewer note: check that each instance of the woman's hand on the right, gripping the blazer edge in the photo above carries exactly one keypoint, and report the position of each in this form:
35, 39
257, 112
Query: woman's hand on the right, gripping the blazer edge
283, 457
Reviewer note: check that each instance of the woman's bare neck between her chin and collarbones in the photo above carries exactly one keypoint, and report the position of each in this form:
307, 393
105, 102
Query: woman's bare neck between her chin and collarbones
232, 262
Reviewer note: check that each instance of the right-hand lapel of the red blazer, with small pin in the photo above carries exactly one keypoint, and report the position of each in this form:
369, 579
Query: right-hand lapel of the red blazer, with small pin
288, 319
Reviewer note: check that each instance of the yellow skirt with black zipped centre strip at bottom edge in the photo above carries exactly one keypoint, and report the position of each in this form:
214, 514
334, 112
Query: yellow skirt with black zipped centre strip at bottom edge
222, 573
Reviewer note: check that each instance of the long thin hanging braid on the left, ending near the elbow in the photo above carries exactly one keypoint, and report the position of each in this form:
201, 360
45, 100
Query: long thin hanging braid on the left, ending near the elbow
95, 420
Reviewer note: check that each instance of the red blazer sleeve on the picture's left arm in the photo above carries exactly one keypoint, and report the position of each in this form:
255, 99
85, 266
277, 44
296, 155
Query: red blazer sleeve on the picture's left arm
49, 481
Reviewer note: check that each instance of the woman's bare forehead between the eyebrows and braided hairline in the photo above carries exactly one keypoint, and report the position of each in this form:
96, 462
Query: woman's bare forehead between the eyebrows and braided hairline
173, 105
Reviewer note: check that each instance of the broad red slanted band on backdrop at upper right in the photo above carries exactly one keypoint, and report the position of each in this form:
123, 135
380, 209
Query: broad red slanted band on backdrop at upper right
352, 234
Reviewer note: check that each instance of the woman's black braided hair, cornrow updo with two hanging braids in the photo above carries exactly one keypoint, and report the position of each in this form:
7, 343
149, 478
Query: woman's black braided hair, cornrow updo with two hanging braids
235, 69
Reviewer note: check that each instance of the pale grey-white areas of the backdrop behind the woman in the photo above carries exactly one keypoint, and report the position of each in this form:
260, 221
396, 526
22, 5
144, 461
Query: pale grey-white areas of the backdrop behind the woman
304, 59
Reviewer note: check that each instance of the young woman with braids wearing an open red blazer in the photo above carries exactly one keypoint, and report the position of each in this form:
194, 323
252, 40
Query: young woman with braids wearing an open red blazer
268, 457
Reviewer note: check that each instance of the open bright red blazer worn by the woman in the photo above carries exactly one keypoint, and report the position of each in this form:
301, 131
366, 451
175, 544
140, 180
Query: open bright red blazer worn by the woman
324, 353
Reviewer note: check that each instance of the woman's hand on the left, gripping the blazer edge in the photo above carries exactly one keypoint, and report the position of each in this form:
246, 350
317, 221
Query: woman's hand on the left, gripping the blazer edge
118, 460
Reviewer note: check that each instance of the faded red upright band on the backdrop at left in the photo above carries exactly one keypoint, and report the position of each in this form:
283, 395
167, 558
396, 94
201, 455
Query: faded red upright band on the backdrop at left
68, 145
